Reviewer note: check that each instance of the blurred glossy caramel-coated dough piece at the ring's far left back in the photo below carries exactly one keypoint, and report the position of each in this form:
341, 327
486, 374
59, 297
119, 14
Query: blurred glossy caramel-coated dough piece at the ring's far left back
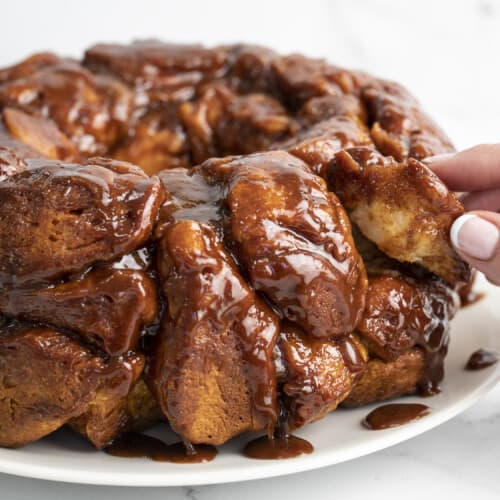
91, 110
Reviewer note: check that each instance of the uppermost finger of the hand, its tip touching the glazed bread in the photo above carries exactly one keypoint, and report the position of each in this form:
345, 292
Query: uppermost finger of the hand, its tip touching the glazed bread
474, 169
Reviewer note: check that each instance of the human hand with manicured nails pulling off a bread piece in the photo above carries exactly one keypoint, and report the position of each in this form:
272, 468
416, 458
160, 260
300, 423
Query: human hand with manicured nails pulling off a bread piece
475, 235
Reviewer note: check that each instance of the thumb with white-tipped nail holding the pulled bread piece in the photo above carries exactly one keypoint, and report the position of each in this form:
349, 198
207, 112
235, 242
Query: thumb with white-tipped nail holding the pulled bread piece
476, 237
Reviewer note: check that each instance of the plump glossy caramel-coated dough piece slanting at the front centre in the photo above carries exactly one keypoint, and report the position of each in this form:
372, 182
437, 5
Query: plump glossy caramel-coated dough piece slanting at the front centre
294, 240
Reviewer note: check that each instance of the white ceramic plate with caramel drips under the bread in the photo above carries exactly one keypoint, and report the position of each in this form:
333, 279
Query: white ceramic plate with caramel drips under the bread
337, 438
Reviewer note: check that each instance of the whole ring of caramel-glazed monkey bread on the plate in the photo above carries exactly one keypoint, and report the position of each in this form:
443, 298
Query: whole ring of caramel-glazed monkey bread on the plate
203, 268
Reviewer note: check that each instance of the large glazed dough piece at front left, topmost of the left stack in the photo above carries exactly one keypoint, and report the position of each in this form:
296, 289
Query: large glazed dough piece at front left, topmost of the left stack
64, 217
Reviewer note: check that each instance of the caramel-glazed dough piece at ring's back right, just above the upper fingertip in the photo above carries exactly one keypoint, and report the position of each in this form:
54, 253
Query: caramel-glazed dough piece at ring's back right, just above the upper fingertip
400, 128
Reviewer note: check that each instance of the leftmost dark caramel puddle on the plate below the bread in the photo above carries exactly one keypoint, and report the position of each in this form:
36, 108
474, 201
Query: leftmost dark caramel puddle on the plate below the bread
136, 445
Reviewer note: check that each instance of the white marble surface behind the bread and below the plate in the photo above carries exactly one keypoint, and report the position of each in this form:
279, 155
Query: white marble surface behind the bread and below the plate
446, 52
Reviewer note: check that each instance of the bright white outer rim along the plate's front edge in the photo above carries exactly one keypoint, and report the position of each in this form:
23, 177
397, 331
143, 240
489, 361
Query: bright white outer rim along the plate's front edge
195, 475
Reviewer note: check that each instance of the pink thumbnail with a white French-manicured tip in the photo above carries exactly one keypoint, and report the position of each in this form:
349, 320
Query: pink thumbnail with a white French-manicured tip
475, 236
